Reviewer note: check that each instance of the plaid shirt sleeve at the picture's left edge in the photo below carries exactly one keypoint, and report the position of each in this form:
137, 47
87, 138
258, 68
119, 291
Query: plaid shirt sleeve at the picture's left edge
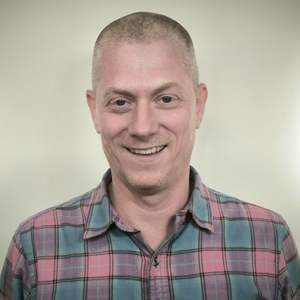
15, 280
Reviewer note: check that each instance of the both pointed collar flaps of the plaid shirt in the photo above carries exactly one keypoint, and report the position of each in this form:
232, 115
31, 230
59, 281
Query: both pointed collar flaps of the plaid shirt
101, 214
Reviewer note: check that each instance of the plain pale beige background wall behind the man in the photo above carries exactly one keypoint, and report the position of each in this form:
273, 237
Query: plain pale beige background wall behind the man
248, 145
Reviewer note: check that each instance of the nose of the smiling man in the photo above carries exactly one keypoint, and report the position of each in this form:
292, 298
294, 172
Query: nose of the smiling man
143, 120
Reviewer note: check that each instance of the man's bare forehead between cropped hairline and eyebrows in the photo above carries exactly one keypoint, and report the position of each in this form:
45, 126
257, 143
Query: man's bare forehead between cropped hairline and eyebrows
141, 63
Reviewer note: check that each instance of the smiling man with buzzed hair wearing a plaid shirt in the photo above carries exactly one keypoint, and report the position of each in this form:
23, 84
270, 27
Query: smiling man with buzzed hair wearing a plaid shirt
151, 229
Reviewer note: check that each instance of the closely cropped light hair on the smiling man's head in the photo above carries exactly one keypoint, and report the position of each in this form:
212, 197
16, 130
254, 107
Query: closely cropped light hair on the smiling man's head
145, 27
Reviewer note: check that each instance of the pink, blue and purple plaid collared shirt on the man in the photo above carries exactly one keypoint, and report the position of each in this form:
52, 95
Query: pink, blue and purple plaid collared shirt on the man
221, 248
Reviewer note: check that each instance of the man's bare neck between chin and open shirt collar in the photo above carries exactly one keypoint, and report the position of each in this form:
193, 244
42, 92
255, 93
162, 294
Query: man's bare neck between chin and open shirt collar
153, 214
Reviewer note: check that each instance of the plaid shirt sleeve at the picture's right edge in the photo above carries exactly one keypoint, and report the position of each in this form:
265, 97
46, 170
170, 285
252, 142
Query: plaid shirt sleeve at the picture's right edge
289, 270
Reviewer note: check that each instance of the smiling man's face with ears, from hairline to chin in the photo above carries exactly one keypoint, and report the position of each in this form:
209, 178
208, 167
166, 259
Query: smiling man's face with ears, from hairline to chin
146, 111
